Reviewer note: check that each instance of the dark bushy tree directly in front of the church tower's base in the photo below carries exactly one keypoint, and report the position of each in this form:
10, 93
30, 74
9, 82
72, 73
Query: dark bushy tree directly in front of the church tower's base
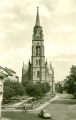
38, 89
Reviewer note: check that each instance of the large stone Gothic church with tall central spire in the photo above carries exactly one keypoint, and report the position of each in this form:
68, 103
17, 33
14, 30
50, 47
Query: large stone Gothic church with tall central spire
38, 69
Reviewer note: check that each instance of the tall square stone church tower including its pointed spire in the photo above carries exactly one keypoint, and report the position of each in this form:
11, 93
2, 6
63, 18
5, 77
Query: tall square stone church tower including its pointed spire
38, 57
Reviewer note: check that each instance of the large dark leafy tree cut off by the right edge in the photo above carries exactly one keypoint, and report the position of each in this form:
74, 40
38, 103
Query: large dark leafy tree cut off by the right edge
70, 82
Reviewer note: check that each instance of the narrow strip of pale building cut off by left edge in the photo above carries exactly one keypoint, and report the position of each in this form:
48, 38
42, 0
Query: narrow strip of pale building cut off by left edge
1, 90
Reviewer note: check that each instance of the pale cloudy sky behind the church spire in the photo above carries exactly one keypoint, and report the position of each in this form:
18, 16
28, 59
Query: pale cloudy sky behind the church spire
58, 19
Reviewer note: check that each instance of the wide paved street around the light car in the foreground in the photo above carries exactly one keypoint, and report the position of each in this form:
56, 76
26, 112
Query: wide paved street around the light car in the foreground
63, 108
